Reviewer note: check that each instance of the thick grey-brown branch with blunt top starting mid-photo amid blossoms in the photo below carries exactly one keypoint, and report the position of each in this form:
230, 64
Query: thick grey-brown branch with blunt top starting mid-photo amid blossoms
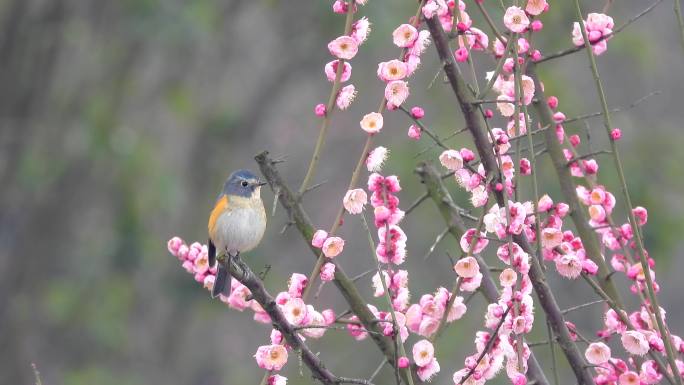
438, 193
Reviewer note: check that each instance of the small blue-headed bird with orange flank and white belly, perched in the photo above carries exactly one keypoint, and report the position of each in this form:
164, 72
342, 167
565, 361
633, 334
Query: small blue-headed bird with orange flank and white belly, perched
236, 223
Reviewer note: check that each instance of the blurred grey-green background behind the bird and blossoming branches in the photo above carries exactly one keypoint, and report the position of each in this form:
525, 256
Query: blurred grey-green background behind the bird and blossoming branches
119, 121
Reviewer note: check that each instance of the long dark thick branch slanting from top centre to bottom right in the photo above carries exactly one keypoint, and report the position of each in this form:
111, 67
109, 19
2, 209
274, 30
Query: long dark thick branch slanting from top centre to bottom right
476, 126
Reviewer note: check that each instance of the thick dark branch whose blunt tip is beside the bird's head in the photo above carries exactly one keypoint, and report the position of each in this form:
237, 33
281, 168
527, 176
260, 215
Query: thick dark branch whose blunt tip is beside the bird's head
345, 285
